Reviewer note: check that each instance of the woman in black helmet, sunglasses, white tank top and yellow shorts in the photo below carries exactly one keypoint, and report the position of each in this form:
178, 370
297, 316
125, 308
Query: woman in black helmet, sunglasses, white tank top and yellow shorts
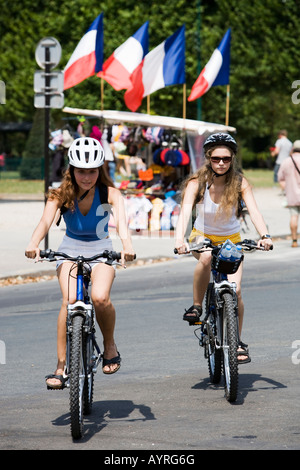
216, 191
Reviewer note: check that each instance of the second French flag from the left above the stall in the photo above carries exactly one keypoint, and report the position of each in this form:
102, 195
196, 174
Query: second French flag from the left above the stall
118, 68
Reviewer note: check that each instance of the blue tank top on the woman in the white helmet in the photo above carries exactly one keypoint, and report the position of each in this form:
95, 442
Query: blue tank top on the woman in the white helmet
90, 227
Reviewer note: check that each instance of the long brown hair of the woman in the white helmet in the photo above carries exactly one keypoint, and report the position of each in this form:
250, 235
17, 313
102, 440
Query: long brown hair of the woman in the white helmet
68, 190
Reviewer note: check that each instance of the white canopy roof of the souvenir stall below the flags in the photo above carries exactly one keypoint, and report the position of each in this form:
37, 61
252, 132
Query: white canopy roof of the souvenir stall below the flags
196, 131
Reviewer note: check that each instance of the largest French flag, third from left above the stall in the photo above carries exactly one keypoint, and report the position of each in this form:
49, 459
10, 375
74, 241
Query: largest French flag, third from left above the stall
163, 66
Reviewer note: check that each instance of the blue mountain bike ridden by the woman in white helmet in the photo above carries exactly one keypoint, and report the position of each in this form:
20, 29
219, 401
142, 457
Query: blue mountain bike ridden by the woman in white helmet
83, 354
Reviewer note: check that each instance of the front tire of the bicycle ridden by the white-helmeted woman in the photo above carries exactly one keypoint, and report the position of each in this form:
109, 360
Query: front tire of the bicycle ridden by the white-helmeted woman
77, 377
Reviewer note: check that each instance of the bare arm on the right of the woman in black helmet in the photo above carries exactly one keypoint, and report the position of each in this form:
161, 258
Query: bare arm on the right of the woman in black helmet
254, 213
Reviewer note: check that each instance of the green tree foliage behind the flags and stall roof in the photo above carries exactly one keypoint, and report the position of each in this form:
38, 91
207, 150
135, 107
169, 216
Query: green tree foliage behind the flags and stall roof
264, 57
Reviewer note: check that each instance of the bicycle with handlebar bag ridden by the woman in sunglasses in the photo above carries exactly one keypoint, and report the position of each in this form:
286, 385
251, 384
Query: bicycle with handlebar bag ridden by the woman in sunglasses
219, 330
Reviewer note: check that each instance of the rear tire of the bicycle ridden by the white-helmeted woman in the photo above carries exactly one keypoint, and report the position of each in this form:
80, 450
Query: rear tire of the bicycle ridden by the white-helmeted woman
88, 388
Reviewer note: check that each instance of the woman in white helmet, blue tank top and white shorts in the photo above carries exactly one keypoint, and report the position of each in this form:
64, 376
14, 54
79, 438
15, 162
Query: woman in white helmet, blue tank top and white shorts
82, 199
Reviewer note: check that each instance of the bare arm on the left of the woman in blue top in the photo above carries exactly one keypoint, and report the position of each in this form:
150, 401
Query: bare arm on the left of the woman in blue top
42, 228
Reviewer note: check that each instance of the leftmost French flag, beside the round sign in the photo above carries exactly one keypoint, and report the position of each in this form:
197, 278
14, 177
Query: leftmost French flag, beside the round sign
87, 58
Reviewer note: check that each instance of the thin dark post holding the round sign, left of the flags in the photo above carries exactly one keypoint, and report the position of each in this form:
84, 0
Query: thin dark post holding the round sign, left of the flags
46, 131
